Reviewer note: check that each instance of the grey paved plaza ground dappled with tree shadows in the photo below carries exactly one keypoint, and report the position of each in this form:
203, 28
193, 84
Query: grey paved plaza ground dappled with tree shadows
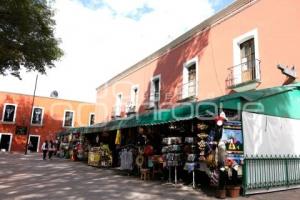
30, 177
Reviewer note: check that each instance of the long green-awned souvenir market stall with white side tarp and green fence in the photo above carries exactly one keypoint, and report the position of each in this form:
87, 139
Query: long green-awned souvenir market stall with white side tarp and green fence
226, 139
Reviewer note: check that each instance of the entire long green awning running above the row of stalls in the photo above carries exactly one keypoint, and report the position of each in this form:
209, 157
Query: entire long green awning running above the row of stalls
280, 101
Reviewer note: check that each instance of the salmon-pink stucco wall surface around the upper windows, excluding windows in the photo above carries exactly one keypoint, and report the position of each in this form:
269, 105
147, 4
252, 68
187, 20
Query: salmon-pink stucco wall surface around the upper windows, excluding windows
278, 26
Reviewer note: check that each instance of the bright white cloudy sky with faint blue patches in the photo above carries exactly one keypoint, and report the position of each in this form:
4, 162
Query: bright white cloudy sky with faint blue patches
101, 38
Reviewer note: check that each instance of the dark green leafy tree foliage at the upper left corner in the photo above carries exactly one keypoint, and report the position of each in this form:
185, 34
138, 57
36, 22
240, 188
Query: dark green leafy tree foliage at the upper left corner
27, 37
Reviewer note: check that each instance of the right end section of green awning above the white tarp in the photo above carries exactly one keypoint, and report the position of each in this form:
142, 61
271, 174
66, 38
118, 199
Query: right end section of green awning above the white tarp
282, 101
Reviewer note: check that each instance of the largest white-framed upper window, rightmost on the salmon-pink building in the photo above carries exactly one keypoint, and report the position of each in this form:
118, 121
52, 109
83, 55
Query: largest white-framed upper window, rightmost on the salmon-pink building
246, 58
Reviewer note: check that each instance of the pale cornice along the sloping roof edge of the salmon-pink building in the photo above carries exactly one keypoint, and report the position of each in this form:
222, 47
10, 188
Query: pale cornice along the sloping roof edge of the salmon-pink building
236, 5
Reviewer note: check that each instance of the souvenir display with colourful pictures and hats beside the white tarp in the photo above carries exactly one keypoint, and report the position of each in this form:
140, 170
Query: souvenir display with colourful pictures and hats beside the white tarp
220, 147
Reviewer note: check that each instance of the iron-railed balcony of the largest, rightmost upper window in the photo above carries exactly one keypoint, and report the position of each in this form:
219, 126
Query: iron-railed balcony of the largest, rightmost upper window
244, 76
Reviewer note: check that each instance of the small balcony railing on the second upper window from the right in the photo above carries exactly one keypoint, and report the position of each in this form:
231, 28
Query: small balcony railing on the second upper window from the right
187, 91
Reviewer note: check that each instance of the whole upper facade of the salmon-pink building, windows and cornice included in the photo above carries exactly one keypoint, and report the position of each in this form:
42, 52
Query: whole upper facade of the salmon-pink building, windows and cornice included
237, 49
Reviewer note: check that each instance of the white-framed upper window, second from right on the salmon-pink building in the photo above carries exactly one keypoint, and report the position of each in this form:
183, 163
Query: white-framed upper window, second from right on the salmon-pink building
189, 80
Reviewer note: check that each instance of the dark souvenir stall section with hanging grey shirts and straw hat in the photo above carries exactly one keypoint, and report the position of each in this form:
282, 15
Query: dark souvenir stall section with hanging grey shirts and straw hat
139, 152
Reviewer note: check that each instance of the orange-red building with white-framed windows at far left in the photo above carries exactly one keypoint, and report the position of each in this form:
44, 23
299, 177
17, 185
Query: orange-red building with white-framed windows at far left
47, 117
